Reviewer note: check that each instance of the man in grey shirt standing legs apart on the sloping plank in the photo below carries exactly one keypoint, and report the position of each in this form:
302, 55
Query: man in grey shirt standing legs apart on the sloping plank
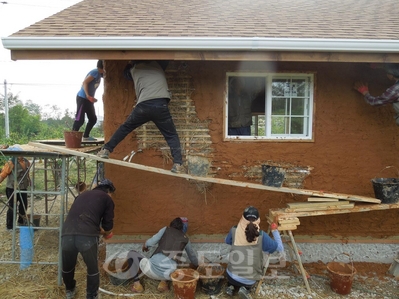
152, 105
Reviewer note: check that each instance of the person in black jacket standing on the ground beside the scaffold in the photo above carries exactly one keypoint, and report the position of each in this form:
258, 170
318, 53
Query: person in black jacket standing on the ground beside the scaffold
91, 215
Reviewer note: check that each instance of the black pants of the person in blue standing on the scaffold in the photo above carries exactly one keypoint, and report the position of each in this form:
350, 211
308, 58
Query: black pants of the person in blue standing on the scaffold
84, 107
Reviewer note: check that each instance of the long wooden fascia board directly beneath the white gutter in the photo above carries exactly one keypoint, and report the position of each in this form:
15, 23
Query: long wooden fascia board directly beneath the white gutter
198, 55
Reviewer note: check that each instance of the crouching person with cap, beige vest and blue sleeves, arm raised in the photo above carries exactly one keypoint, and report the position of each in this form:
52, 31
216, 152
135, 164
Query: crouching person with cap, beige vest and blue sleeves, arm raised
248, 243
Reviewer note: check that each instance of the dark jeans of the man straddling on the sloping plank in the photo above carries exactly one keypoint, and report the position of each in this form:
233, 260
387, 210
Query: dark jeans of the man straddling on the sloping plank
156, 111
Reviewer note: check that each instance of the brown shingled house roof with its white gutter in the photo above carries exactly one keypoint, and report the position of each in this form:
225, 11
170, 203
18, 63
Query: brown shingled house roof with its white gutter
247, 25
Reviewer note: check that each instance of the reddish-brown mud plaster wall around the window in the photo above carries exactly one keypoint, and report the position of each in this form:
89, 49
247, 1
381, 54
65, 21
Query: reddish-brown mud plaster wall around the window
353, 142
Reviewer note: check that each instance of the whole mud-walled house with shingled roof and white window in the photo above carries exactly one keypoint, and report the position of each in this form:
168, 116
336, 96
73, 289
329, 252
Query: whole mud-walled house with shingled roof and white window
299, 60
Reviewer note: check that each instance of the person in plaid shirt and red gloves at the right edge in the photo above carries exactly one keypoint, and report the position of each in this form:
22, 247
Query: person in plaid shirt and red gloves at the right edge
390, 96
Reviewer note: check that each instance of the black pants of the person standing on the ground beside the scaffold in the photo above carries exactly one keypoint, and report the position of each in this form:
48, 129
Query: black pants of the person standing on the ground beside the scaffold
88, 248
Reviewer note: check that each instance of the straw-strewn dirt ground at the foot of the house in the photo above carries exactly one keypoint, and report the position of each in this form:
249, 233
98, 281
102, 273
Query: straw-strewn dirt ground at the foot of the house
40, 281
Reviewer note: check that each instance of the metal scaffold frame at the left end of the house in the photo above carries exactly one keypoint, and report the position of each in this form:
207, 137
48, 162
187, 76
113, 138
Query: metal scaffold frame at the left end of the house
57, 186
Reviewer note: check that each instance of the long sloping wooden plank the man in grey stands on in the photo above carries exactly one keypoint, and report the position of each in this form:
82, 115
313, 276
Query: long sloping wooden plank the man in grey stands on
208, 179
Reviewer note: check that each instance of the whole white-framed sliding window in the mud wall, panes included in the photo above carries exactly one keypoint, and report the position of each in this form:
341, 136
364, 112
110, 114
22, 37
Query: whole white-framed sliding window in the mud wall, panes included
269, 106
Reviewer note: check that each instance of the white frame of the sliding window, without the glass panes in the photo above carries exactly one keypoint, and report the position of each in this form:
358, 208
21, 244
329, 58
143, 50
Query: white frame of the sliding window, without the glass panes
308, 130
